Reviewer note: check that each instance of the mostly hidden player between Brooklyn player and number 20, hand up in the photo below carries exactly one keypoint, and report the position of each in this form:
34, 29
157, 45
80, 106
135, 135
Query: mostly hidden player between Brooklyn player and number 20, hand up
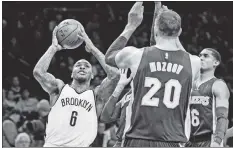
115, 110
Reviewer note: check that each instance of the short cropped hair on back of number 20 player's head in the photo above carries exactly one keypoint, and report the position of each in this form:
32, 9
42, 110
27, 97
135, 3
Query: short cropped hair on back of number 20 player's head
169, 23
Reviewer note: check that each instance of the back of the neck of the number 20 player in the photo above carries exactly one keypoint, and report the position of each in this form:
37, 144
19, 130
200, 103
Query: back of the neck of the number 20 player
167, 44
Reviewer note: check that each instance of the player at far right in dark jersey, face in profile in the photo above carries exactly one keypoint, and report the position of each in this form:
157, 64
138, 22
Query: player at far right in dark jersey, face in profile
208, 104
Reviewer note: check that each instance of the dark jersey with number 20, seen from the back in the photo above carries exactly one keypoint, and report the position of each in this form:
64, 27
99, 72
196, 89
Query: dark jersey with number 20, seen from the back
161, 91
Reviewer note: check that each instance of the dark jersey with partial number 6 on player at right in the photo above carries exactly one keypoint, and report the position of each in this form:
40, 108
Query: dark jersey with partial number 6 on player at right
202, 107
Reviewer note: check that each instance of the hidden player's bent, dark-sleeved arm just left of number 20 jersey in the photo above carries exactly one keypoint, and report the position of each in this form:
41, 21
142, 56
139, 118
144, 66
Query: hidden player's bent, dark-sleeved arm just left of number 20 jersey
112, 108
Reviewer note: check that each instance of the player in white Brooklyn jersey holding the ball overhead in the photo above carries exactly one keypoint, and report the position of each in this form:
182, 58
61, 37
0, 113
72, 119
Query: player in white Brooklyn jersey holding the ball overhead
72, 121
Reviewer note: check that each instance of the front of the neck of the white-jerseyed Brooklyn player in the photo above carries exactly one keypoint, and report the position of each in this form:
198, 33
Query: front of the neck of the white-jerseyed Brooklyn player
80, 86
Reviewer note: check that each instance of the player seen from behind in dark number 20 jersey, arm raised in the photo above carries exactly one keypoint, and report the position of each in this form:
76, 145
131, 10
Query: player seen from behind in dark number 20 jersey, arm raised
163, 77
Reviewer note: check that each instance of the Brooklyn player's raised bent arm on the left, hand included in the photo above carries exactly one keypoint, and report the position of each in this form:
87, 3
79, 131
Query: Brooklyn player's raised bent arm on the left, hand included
47, 81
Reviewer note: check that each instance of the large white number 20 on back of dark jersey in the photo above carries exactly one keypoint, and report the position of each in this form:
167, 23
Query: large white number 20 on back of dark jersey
155, 84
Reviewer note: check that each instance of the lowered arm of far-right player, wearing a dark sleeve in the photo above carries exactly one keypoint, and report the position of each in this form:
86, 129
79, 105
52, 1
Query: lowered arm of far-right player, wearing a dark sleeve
221, 94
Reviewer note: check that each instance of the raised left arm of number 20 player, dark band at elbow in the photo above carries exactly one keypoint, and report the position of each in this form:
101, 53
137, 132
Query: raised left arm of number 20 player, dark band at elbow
135, 17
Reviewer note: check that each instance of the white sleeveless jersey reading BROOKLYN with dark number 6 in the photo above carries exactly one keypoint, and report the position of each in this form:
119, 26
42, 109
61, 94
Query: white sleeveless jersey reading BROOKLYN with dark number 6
72, 121
